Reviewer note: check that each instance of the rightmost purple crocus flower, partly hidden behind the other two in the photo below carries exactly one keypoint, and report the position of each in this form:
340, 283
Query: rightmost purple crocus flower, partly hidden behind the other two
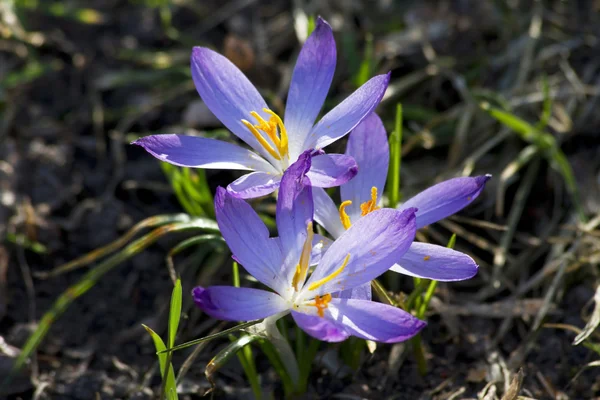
368, 145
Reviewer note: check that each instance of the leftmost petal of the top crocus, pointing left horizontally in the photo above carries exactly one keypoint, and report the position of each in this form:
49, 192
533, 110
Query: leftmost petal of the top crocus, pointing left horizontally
197, 152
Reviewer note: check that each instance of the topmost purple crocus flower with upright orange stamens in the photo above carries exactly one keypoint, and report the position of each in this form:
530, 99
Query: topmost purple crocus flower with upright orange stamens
277, 143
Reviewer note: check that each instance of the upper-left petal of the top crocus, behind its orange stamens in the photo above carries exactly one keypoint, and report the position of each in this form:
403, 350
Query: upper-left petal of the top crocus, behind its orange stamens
227, 93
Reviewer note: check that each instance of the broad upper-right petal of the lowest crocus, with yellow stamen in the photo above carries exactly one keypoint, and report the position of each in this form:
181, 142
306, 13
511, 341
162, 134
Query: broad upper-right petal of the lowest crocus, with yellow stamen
374, 243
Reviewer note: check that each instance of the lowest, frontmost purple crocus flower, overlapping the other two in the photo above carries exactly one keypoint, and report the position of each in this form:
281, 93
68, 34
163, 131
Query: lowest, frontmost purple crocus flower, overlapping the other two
357, 256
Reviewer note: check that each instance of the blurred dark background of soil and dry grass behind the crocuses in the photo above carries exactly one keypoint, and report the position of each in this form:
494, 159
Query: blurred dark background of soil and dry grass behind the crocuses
509, 88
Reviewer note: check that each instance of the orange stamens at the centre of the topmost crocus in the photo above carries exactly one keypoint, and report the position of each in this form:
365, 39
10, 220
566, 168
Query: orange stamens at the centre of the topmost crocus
276, 141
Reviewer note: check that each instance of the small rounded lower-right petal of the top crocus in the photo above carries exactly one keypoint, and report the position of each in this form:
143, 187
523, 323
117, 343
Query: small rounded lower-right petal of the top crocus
330, 170
